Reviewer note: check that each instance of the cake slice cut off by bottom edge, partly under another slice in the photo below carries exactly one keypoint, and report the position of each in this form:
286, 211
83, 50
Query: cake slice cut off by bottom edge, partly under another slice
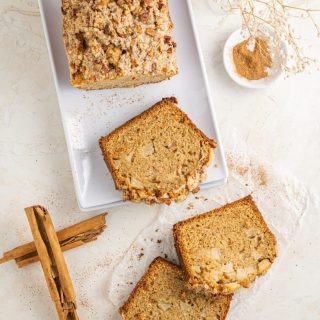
162, 294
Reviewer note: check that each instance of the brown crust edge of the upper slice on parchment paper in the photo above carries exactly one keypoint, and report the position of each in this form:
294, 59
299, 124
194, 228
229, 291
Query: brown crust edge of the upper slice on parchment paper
181, 250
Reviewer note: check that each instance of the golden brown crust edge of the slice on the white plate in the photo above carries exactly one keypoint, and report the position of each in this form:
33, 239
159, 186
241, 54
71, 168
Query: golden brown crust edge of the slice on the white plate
150, 198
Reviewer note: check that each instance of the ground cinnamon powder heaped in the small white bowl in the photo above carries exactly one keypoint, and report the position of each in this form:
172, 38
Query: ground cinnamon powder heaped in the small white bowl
252, 64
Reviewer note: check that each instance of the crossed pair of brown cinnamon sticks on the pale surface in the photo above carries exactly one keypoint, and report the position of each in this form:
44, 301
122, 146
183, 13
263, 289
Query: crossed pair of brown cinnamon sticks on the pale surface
47, 248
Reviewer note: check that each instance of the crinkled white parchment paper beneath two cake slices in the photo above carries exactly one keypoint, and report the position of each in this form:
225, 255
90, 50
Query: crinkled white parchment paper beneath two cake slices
281, 199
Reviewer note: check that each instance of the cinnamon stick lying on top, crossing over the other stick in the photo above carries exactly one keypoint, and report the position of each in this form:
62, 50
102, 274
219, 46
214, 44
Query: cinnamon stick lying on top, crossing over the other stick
52, 262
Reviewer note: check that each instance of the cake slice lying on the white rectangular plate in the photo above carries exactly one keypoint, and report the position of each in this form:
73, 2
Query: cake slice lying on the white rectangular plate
158, 156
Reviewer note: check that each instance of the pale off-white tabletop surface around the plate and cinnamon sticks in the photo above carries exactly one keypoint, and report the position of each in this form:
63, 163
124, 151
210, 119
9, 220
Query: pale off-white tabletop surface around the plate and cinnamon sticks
281, 123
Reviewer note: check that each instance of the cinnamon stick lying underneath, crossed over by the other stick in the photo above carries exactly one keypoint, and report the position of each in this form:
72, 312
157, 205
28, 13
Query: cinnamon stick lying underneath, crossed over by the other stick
69, 238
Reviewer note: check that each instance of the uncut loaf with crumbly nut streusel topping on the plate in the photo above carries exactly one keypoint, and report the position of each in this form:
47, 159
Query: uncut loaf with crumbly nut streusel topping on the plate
118, 43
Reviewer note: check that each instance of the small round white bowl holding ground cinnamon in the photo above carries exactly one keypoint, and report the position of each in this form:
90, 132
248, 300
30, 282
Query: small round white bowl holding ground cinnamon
274, 72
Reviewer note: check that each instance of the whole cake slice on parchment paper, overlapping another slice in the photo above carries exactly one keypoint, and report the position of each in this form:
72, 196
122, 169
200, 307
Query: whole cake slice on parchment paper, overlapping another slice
226, 248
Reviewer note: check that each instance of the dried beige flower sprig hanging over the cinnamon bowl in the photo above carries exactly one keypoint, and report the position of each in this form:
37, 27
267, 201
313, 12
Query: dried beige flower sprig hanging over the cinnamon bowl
272, 20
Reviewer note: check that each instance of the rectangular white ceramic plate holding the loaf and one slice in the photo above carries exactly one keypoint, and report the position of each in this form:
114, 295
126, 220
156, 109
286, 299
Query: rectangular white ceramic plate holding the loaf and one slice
88, 115
